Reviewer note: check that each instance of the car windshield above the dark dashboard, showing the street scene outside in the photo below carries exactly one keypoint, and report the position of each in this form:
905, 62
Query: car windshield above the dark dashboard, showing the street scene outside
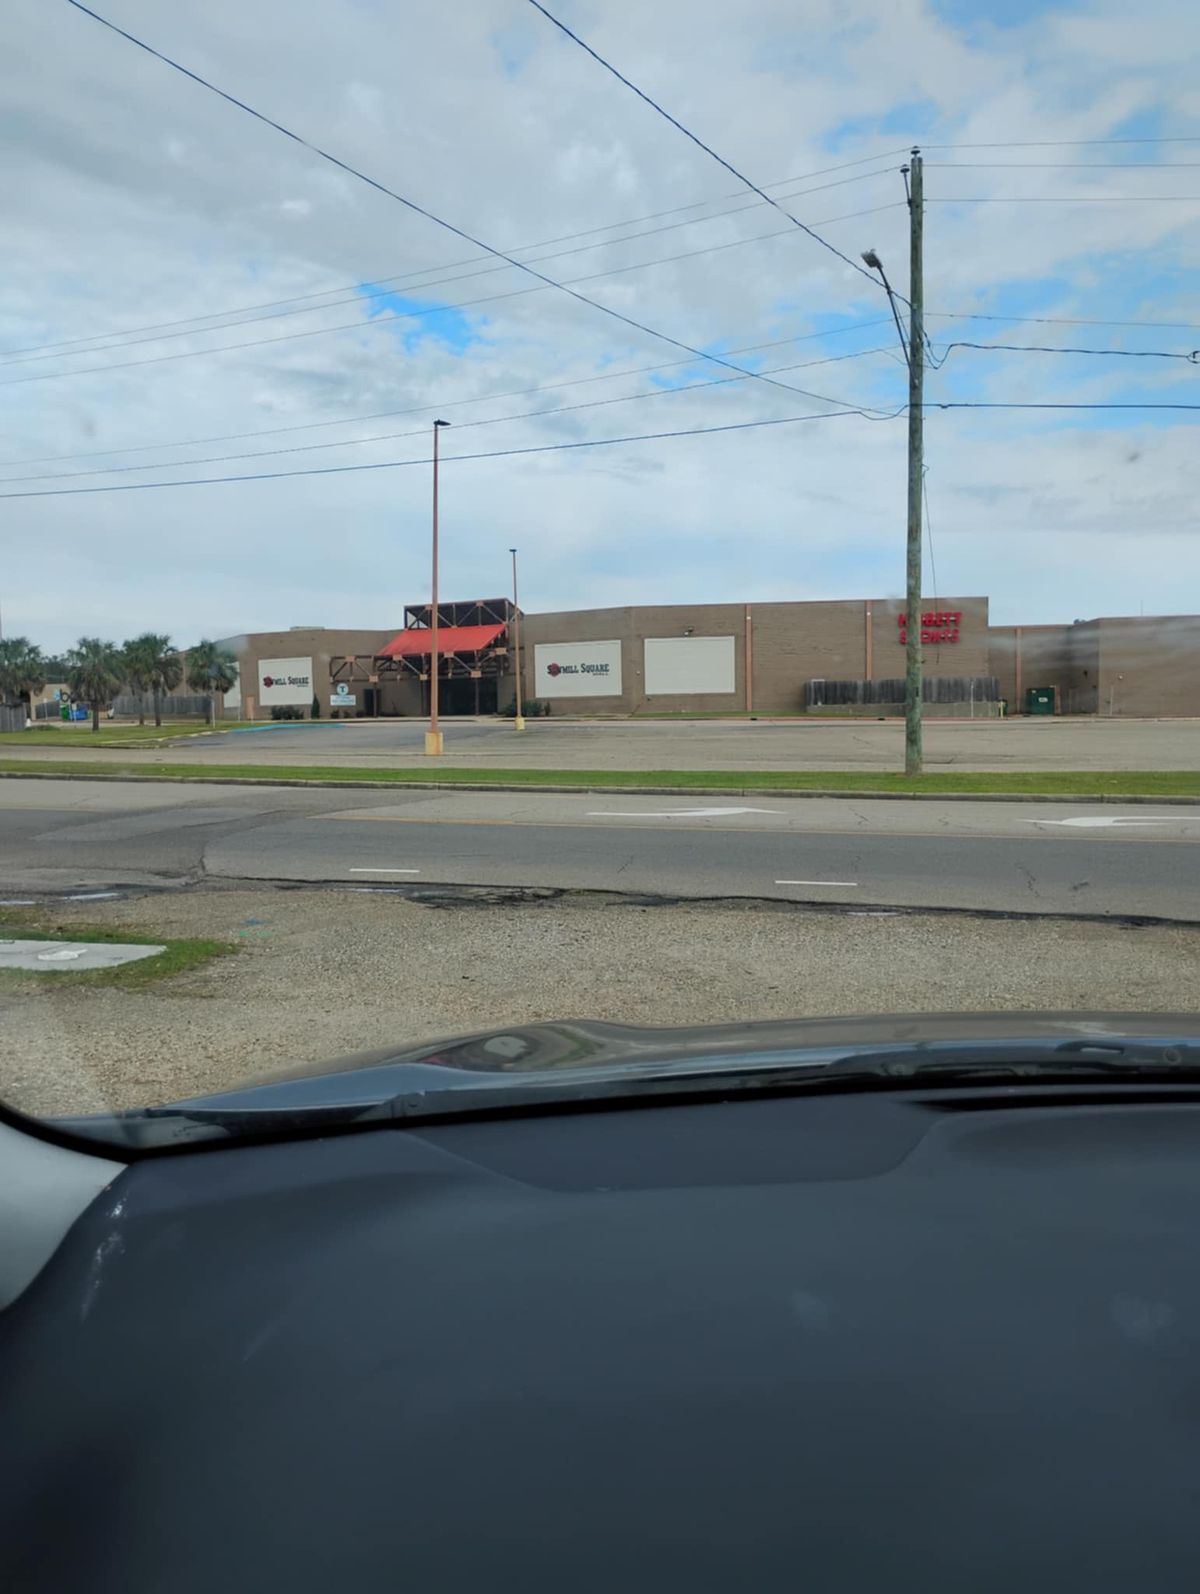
552, 527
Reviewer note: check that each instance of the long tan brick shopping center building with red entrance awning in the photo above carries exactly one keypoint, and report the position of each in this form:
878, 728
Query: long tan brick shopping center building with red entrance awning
734, 658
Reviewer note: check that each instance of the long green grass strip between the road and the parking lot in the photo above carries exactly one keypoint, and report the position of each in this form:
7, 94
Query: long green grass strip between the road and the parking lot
1041, 783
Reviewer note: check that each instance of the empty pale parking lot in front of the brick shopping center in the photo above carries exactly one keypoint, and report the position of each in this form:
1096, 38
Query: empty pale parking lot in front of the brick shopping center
676, 745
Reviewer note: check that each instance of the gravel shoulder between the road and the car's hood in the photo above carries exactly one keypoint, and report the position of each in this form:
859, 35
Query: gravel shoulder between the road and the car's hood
324, 973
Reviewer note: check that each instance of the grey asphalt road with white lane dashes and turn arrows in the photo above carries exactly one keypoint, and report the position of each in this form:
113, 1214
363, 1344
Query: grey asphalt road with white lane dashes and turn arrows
1056, 858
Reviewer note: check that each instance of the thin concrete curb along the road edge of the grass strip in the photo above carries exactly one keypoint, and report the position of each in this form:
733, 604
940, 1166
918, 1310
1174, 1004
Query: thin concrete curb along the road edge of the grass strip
603, 790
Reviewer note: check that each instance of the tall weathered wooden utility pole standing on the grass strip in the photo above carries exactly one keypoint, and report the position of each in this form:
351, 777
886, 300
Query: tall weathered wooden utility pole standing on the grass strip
914, 752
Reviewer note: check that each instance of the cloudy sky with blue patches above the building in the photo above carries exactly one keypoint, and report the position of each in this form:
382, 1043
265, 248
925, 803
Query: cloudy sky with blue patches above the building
189, 294
